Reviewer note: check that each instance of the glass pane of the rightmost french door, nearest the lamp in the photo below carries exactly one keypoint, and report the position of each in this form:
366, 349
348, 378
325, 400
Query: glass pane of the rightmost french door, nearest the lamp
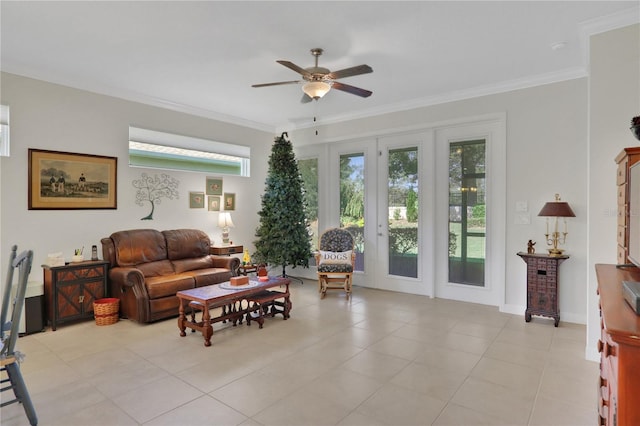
467, 230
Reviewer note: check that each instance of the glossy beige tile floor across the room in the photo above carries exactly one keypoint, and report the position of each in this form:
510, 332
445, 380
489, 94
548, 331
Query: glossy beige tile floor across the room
381, 359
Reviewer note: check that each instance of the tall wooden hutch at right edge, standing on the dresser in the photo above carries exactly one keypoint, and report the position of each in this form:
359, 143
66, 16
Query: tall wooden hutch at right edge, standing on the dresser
627, 158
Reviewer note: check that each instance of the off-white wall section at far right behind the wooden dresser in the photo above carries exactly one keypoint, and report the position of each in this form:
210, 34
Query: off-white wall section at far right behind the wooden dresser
614, 98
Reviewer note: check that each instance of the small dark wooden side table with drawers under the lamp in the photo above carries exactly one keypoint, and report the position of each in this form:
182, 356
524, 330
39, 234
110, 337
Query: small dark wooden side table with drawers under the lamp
542, 285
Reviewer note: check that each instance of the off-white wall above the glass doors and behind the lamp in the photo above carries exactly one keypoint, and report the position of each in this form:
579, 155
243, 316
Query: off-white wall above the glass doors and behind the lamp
546, 154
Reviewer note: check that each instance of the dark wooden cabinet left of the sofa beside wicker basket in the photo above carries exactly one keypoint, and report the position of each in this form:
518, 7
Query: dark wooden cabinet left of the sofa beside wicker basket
71, 289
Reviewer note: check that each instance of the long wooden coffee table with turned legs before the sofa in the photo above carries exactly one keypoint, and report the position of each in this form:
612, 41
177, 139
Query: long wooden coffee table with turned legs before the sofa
221, 295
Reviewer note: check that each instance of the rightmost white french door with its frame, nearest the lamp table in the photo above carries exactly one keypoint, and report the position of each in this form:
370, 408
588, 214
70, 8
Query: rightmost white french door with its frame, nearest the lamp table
471, 164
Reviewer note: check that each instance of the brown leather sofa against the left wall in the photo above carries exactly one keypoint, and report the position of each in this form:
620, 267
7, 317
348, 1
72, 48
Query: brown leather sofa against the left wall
147, 268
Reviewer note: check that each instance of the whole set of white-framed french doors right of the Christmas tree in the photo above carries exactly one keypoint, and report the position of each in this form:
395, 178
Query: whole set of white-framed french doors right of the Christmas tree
397, 193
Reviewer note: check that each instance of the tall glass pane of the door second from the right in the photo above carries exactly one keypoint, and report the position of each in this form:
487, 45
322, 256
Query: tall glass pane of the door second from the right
403, 212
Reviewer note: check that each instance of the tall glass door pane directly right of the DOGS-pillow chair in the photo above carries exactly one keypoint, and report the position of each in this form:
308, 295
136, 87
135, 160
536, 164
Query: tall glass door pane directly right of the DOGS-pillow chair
352, 201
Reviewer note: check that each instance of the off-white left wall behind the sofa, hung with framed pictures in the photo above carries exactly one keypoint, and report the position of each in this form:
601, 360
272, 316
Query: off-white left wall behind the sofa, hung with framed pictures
53, 117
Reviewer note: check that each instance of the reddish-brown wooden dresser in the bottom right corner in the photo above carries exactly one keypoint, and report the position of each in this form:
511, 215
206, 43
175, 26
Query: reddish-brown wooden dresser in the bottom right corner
619, 347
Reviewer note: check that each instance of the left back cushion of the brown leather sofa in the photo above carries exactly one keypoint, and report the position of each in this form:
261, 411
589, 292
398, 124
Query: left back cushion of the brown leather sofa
138, 246
